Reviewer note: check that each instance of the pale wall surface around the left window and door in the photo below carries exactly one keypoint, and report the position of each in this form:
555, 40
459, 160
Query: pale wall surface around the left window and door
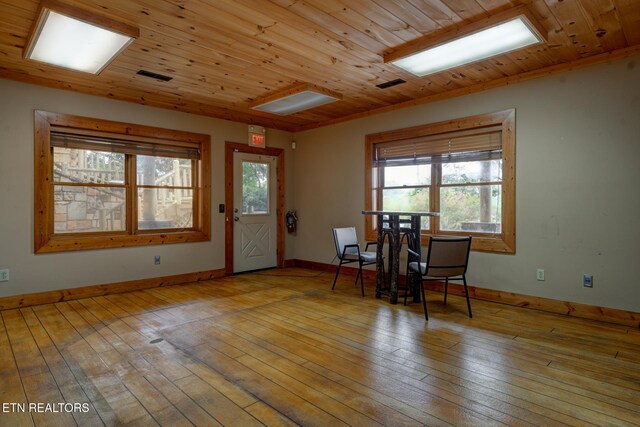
36, 273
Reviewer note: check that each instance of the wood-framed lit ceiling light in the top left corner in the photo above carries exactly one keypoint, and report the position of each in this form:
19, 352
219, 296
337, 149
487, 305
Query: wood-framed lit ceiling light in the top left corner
74, 38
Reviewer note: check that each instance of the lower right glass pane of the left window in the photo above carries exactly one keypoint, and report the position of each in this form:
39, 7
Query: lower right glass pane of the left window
165, 208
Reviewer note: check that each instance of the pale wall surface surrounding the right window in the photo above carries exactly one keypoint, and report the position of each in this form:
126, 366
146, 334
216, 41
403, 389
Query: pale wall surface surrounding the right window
577, 178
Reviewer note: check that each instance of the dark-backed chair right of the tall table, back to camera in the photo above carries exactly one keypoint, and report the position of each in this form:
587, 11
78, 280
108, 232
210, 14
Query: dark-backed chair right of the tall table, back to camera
447, 257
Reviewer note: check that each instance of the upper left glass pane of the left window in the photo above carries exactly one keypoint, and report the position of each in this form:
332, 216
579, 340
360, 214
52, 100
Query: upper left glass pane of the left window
87, 166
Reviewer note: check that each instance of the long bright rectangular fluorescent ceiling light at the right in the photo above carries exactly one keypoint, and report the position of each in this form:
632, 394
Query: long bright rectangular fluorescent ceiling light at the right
499, 38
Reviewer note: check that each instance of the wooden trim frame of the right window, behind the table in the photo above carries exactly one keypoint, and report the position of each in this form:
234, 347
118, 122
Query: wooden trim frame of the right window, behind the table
503, 242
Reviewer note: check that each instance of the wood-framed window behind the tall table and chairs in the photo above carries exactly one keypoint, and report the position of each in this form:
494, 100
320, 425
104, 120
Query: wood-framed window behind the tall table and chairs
463, 169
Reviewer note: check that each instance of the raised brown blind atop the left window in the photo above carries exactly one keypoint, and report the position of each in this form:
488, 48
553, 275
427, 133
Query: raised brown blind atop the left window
126, 146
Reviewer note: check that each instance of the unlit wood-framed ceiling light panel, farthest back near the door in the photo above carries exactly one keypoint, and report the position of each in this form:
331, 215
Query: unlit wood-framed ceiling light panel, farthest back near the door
296, 98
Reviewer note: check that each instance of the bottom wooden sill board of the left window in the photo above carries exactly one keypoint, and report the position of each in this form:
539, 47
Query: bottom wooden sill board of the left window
78, 243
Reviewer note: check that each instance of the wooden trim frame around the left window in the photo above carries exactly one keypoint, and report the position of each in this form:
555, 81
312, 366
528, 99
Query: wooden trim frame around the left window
47, 241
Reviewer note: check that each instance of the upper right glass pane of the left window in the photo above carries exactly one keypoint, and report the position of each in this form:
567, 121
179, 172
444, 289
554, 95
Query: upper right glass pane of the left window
164, 171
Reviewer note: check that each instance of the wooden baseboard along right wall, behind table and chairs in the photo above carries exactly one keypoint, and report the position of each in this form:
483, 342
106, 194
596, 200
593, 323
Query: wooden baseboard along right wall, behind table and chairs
574, 309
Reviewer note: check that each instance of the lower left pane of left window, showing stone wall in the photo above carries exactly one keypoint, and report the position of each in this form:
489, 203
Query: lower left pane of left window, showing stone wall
80, 209
